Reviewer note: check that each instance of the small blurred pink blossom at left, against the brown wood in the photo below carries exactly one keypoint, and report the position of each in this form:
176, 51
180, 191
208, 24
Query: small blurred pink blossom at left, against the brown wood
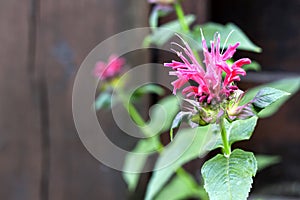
111, 68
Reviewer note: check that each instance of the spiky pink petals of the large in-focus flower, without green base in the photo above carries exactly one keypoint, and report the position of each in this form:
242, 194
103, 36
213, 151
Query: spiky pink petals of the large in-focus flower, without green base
210, 85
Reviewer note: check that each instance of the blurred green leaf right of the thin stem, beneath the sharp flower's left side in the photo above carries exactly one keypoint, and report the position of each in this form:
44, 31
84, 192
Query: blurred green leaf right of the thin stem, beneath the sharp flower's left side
162, 115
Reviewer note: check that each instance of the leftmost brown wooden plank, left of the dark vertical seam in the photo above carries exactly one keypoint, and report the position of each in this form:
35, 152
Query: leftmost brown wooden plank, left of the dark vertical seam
19, 120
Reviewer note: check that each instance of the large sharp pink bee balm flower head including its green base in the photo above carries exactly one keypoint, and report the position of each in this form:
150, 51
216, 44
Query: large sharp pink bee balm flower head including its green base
211, 92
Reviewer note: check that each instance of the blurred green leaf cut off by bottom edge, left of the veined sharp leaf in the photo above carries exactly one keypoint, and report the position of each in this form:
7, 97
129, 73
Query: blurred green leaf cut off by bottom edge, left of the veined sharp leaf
182, 186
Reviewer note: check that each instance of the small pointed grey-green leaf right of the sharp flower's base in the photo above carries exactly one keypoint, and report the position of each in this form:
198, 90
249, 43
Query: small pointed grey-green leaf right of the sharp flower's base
267, 96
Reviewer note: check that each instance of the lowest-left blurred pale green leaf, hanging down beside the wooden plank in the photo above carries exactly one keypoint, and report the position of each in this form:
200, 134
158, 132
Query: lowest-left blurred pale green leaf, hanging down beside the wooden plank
136, 160
